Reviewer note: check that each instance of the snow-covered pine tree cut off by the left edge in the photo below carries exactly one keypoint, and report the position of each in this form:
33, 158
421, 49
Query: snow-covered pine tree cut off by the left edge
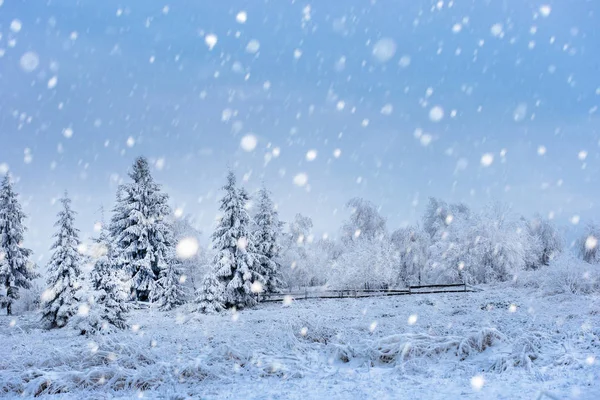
16, 271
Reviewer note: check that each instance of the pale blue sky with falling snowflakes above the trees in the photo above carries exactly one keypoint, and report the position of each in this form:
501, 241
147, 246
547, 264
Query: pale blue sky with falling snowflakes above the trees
138, 78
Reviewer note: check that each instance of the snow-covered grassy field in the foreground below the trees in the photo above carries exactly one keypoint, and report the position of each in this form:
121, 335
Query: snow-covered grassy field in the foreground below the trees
506, 342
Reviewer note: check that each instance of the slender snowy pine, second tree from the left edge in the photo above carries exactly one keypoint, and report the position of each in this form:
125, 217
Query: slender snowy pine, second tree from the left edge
64, 268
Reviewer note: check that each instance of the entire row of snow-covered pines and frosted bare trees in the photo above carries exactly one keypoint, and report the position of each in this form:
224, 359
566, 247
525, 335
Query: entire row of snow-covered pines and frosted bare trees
145, 254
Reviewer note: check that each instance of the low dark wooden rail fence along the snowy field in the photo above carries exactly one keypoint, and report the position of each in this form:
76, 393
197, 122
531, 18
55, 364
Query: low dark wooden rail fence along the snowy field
363, 293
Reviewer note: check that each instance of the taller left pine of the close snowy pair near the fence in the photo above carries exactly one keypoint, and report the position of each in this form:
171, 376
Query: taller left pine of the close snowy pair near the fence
234, 262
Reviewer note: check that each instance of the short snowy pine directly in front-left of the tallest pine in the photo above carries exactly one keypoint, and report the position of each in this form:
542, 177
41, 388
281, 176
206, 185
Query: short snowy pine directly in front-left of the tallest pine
106, 293
